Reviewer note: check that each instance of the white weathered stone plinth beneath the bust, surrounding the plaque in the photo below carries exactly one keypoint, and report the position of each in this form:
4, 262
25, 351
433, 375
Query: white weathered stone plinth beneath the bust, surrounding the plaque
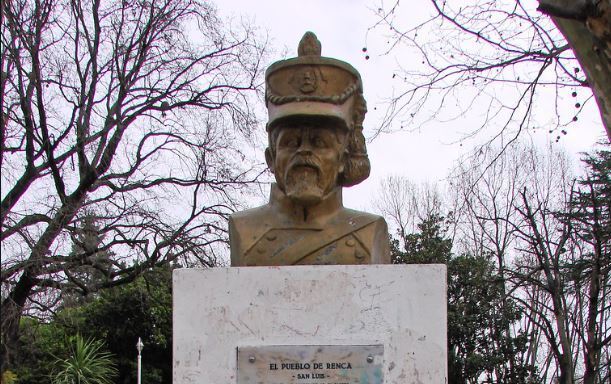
402, 307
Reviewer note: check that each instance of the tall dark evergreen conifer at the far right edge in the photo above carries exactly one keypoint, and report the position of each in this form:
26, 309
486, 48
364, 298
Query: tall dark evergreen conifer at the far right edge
589, 273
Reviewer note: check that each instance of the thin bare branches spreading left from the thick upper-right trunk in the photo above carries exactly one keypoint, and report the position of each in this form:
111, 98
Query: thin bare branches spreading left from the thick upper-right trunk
503, 59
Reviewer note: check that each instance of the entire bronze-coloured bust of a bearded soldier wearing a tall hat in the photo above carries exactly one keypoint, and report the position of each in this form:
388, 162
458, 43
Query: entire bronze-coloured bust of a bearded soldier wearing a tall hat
316, 146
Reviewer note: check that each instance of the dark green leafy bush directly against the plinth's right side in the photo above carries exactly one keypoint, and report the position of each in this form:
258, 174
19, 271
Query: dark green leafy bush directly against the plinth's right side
479, 317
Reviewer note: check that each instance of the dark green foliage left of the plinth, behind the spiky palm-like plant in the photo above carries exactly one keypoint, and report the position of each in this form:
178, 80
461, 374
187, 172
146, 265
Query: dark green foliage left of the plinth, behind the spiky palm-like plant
116, 317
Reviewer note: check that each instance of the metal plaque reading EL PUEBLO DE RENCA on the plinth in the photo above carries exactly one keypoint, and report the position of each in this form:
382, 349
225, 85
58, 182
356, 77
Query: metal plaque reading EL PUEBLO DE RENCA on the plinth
311, 364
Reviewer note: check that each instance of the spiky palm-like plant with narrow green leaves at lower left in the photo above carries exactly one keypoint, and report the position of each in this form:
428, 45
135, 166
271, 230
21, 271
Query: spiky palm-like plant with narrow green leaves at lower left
87, 364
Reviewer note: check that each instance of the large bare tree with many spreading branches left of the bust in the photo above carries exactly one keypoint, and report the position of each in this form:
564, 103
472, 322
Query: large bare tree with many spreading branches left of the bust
121, 112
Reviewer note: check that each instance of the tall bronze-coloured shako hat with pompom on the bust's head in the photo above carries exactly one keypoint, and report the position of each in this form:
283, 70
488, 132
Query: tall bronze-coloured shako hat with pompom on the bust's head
311, 85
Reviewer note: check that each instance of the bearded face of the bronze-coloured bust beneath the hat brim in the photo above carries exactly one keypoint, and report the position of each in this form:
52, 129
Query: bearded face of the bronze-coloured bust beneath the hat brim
308, 159
